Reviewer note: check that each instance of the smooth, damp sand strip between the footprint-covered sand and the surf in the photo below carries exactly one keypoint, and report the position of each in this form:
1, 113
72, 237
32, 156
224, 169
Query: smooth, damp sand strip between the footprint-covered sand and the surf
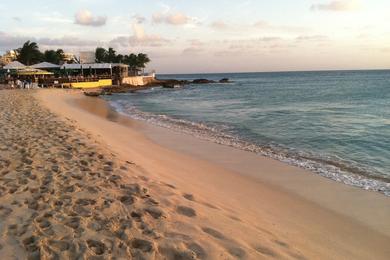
325, 208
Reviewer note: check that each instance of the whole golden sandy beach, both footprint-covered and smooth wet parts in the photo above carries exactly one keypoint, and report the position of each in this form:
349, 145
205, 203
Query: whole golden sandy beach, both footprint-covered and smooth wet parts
79, 181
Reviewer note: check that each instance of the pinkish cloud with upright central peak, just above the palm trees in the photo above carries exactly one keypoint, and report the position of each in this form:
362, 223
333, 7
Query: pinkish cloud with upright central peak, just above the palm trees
139, 38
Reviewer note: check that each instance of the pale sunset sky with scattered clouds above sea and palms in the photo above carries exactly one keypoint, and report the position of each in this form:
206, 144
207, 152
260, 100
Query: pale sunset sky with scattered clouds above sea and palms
196, 36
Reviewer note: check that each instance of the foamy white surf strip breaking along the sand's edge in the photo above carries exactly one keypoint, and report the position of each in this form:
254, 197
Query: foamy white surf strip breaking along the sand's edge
333, 170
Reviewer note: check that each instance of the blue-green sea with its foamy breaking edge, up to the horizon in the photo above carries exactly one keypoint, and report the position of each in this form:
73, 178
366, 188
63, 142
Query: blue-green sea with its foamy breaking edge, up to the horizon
334, 123
